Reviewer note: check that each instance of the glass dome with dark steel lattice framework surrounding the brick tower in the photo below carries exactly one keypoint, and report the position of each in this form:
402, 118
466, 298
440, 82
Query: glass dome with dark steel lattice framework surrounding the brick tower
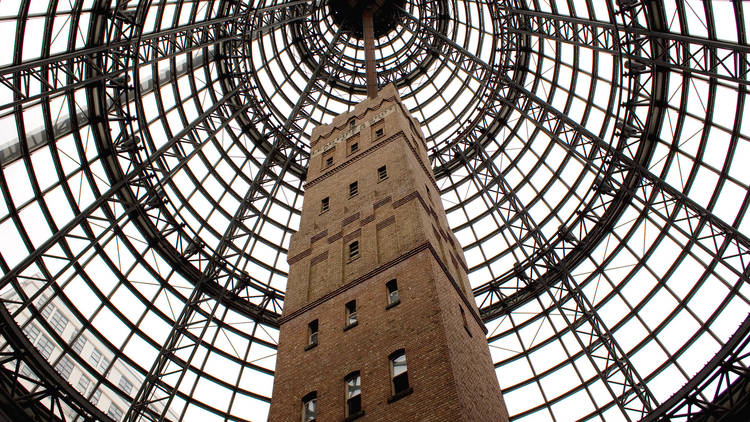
591, 154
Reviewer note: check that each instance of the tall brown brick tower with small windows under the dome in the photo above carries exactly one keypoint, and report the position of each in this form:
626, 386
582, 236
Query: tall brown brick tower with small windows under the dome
379, 322
